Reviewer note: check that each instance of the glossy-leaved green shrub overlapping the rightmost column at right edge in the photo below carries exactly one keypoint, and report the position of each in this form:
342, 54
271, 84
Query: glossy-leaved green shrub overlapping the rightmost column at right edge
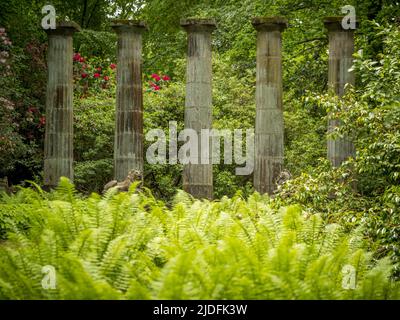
371, 115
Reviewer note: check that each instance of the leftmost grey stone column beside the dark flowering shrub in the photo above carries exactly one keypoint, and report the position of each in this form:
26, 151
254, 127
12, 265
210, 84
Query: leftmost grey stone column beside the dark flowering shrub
58, 142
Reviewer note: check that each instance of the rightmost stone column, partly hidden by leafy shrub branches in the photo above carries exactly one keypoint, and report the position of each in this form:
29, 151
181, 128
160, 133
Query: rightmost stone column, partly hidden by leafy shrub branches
341, 48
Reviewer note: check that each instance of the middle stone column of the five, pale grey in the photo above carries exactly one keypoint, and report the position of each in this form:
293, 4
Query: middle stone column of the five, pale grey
198, 178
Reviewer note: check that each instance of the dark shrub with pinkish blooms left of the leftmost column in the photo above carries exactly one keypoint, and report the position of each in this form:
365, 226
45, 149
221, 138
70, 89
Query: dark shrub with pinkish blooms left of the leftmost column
22, 76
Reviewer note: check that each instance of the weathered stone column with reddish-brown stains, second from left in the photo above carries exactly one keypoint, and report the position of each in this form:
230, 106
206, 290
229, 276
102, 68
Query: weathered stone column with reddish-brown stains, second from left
128, 145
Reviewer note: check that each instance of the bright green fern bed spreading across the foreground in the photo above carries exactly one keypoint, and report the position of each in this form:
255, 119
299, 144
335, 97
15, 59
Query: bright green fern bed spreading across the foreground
130, 245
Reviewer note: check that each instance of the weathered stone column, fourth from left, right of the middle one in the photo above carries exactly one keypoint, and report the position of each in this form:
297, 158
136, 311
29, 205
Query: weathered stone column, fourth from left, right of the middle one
268, 162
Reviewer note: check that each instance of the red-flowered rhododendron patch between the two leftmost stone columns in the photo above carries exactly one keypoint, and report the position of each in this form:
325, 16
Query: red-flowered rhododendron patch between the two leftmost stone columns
93, 74
